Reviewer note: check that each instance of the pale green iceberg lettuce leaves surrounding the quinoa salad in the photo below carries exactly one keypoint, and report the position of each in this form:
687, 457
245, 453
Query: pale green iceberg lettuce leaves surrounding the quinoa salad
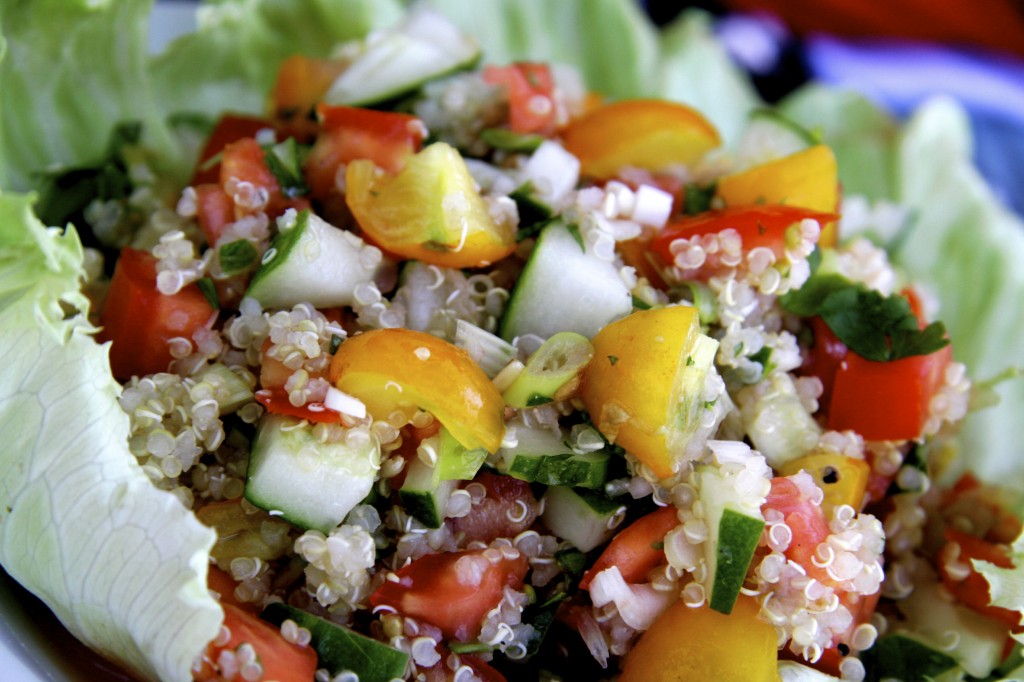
122, 565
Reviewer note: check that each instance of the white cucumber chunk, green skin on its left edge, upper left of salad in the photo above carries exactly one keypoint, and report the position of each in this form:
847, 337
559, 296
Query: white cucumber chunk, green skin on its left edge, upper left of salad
316, 263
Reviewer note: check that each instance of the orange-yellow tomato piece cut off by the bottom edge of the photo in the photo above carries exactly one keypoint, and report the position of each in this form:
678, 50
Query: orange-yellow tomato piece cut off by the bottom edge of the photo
687, 645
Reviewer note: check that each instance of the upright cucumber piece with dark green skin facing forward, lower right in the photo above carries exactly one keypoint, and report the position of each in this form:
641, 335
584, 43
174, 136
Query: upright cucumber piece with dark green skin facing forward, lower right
735, 527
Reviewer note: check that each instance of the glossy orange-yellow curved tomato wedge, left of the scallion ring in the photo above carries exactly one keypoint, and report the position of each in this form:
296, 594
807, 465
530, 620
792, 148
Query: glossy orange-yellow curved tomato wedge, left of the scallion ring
399, 370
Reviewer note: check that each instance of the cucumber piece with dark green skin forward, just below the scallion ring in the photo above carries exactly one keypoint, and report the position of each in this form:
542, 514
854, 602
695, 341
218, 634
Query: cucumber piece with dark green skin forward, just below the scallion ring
541, 456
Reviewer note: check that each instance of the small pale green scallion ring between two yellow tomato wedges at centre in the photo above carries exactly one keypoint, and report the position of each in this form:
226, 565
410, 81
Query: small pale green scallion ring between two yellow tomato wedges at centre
552, 373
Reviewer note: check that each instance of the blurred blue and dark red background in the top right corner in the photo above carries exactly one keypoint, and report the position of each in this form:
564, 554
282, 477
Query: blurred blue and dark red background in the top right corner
898, 53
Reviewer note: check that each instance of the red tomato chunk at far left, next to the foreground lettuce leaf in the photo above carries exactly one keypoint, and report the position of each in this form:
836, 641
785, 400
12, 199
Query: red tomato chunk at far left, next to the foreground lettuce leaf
140, 321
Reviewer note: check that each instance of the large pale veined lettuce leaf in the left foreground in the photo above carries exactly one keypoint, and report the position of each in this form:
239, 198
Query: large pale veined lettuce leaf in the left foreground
122, 565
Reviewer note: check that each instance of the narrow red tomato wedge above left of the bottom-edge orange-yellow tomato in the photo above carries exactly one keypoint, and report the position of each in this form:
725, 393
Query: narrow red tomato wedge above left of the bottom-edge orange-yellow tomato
636, 549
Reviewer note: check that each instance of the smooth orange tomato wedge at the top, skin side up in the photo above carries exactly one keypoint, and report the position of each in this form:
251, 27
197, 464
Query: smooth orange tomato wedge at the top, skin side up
653, 135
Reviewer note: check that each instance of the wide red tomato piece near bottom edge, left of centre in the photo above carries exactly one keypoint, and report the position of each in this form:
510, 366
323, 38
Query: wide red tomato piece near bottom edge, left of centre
453, 591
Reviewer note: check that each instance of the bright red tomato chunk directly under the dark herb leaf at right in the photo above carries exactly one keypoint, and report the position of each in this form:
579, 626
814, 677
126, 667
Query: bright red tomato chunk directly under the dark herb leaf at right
886, 401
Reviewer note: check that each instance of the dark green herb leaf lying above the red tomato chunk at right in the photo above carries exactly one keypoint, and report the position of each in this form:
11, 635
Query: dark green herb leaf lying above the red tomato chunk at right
876, 327
